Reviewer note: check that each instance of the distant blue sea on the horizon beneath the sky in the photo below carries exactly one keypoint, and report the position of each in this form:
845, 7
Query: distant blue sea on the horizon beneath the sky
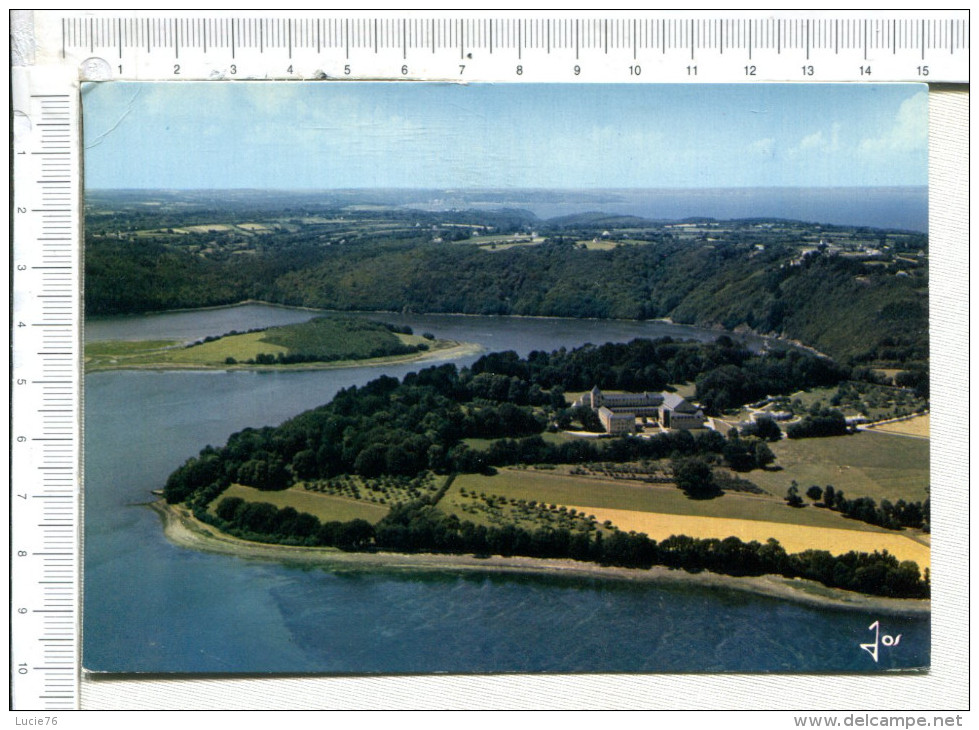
884, 207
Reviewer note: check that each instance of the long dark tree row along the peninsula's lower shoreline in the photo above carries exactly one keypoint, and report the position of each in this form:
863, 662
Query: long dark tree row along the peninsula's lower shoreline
421, 527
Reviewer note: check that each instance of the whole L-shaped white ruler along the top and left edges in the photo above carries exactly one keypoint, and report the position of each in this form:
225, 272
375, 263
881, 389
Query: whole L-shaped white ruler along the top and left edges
56, 50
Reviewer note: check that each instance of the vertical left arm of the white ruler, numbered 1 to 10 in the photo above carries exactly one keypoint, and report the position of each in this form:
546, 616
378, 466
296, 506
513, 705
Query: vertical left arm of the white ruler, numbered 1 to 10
45, 397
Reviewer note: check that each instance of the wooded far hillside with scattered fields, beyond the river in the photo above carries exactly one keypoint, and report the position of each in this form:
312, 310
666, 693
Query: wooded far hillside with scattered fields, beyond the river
859, 295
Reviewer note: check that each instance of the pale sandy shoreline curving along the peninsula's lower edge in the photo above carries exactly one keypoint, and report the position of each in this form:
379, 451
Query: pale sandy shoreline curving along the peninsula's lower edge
181, 528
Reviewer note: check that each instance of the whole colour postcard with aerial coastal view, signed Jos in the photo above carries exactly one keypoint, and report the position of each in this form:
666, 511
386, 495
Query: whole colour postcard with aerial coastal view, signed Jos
409, 378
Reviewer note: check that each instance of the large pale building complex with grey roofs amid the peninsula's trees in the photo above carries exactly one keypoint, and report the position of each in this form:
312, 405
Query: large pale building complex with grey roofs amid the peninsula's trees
618, 411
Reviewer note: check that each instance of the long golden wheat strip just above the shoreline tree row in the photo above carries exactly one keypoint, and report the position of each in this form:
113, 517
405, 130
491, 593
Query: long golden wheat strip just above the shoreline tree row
794, 538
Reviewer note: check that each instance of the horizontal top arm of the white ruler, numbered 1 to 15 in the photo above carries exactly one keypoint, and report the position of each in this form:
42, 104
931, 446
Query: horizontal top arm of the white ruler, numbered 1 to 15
651, 48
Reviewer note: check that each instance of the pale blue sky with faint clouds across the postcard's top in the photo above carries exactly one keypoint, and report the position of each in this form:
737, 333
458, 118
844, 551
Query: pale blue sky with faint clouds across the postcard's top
324, 135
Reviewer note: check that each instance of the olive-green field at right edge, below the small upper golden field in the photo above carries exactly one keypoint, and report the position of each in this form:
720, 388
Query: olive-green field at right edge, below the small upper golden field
864, 464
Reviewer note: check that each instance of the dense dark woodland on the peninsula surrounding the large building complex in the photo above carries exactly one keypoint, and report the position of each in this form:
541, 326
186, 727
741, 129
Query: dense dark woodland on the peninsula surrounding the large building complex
404, 427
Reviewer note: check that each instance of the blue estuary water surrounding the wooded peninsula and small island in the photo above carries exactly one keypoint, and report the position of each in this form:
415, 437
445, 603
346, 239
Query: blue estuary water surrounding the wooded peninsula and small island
150, 606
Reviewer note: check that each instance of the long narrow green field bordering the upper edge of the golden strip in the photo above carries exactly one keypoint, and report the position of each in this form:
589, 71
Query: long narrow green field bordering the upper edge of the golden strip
556, 488
